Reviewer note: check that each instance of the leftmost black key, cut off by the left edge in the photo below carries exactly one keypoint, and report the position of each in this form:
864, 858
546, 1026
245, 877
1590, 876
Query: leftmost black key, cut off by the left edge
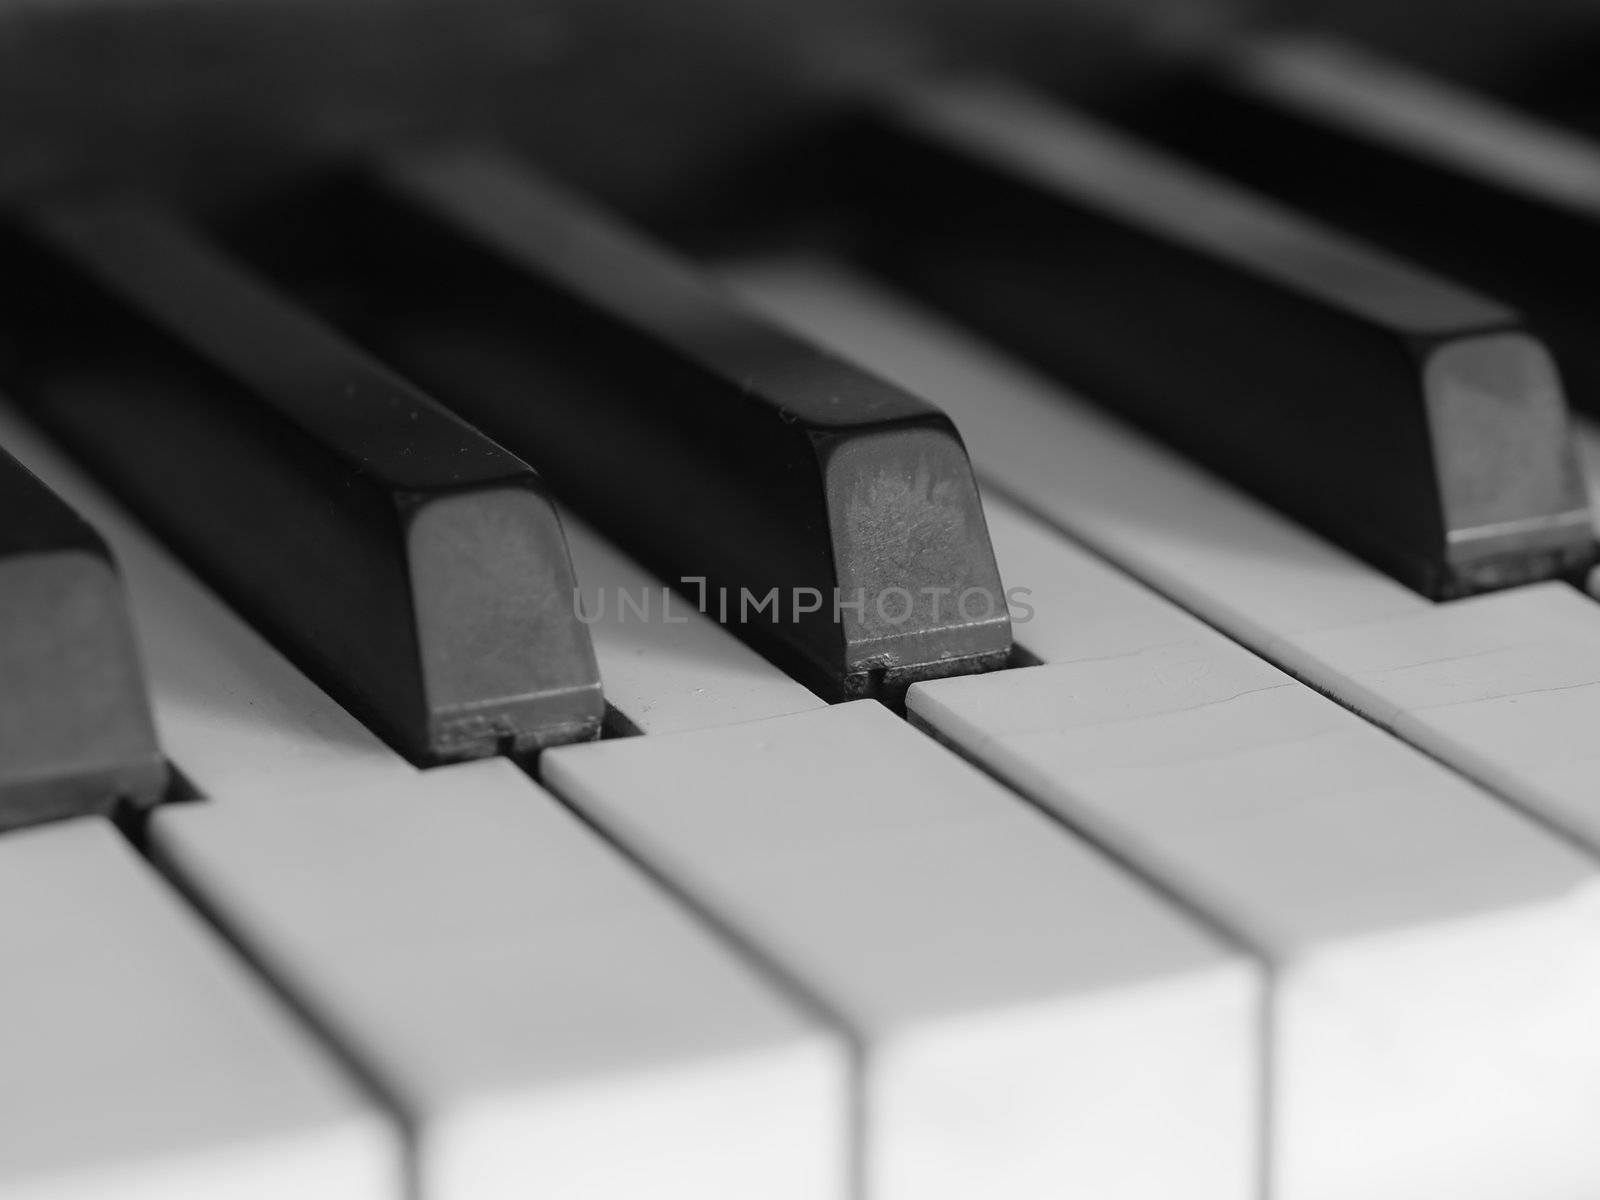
76, 732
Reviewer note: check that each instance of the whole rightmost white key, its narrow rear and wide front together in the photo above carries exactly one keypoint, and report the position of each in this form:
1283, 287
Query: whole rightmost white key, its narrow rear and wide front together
1522, 658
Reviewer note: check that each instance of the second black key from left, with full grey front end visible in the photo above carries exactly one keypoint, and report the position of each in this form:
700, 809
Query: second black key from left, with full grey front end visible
404, 561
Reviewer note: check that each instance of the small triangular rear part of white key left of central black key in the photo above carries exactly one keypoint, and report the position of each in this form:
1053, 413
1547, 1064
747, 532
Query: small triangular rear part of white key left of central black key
666, 666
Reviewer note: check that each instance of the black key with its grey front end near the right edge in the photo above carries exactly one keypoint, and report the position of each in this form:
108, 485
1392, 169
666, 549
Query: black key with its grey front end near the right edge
1406, 418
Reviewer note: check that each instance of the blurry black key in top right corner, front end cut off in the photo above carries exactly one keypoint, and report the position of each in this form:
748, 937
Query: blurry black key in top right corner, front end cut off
1462, 183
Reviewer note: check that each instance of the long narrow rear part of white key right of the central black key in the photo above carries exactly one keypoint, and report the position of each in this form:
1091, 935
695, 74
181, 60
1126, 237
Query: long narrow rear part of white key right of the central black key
1134, 502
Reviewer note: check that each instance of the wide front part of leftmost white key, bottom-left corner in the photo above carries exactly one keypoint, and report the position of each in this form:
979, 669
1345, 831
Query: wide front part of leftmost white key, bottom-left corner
142, 1062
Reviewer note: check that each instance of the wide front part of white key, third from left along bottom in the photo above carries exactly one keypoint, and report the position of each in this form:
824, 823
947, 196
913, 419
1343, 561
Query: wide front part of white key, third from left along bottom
1031, 1022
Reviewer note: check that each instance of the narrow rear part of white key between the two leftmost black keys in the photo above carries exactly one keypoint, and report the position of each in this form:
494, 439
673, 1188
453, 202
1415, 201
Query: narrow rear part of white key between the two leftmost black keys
231, 713
